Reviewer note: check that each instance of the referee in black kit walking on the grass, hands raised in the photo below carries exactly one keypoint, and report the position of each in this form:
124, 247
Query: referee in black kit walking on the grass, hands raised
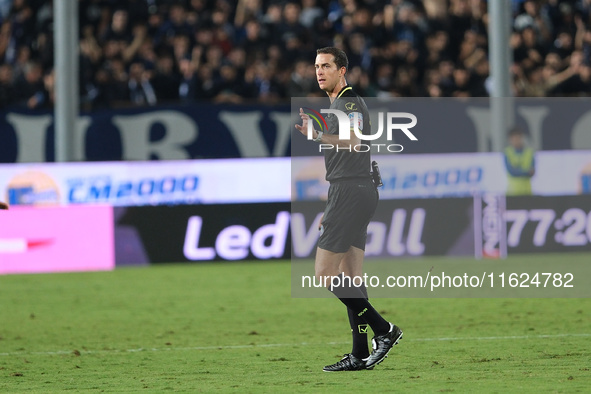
352, 201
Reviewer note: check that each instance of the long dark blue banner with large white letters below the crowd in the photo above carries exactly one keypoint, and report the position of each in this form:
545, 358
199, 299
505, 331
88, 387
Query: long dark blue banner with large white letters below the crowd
207, 130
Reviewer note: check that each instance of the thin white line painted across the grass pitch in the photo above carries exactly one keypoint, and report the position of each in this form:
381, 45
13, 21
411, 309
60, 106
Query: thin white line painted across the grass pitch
267, 345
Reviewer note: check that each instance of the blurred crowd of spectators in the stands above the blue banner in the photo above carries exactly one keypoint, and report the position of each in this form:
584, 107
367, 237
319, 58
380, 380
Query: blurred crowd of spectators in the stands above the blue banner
147, 52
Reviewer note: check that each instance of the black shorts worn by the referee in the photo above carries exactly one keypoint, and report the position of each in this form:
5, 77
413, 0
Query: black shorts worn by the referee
351, 205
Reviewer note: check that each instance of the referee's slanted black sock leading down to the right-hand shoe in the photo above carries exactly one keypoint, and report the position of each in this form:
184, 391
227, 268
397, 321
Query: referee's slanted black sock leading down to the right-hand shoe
354, 299
